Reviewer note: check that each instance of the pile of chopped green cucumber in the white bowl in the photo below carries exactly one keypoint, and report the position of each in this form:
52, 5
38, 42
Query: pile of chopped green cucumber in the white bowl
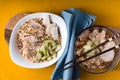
48, 50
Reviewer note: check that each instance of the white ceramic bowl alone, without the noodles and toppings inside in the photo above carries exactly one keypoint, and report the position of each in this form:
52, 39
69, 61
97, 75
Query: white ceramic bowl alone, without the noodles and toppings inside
16, 56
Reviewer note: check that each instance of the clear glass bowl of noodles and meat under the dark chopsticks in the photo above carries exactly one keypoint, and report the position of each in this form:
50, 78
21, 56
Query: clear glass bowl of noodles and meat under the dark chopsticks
92, 37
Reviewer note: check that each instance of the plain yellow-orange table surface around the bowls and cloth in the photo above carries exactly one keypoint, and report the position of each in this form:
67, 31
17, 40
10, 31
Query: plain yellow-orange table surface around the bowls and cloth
107, 12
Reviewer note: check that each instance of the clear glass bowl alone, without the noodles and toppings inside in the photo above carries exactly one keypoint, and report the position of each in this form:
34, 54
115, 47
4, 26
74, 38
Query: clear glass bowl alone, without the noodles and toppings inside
116, 58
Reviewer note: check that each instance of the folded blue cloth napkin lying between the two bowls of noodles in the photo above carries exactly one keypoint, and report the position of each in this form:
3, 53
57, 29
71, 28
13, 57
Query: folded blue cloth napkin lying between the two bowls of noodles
76, 21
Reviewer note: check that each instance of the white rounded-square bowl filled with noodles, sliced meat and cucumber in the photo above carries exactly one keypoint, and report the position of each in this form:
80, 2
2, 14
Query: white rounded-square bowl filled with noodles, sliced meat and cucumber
38, 40
